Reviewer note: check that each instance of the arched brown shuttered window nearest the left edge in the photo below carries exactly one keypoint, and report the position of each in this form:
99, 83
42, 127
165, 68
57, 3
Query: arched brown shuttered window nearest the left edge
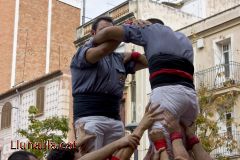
6, 115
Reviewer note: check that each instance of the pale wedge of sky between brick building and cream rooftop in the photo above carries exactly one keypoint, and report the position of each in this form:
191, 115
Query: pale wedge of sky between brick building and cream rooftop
97, 7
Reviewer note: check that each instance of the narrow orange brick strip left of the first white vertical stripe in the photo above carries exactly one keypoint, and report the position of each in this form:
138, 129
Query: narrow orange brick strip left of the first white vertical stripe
7, 11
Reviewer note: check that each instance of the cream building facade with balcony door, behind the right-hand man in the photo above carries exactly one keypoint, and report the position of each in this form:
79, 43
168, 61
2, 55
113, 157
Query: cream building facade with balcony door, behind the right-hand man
217, 63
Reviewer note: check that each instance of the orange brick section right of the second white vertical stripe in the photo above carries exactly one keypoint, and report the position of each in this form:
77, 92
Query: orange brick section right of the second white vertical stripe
65, 20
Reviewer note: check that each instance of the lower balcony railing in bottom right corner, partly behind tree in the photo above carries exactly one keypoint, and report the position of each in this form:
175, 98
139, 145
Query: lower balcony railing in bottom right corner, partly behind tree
225, 151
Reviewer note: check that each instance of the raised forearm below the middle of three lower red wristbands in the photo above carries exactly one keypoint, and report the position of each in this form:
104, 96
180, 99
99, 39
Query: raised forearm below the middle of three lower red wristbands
179, 150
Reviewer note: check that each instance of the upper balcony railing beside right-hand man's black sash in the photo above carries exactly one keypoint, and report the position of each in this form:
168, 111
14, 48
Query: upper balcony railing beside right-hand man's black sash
218, 76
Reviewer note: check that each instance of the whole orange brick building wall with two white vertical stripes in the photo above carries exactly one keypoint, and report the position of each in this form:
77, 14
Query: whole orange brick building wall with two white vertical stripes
35, 38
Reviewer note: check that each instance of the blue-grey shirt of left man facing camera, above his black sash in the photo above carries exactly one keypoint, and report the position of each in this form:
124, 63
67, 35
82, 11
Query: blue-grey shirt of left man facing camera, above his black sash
107, 76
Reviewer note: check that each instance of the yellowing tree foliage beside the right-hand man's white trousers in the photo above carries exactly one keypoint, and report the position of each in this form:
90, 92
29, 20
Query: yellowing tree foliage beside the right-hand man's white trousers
213, 109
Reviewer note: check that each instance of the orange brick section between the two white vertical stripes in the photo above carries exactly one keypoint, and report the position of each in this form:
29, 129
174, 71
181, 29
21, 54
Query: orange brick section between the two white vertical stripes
32, 36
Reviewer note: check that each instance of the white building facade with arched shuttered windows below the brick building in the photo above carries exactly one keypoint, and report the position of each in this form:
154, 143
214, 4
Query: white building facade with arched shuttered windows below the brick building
51, 94
